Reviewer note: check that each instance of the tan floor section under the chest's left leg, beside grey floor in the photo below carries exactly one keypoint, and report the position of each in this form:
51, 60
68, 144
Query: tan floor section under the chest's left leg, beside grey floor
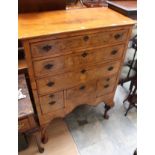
60, 141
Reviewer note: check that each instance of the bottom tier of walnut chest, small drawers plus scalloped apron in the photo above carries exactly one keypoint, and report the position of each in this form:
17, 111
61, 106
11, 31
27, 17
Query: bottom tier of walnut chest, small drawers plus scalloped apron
91, 92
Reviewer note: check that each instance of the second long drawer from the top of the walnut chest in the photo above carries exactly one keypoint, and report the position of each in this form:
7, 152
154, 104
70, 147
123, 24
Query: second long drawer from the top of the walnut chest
70, 62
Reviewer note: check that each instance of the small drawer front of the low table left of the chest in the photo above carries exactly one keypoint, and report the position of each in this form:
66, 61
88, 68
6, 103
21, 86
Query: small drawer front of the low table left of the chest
23, 125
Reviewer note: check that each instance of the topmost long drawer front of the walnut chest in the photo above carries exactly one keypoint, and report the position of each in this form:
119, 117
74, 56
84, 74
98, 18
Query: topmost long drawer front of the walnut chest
70, 44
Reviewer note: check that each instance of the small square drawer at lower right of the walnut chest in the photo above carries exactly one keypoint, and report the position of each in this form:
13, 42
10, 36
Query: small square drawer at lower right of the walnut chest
105, 85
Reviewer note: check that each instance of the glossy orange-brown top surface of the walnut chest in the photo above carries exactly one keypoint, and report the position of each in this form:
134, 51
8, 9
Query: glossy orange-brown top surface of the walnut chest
32, 25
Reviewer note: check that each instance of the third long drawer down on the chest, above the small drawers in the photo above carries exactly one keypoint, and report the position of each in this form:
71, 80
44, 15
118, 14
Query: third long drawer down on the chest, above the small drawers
70, 79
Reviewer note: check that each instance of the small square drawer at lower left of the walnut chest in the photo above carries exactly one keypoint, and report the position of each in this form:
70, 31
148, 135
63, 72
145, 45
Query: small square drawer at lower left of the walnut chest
52, 102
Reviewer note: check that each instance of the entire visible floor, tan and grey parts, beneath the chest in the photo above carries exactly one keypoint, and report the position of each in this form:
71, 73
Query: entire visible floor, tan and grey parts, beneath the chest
90, 134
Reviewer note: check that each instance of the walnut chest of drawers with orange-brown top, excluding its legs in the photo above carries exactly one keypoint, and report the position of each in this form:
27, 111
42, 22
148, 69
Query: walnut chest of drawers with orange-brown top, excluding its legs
74, 57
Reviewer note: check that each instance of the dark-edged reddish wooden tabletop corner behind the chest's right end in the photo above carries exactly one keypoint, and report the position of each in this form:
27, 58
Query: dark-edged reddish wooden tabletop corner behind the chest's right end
127, 8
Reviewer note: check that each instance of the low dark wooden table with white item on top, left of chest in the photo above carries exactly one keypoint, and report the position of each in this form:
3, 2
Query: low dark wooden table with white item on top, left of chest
27, 123
